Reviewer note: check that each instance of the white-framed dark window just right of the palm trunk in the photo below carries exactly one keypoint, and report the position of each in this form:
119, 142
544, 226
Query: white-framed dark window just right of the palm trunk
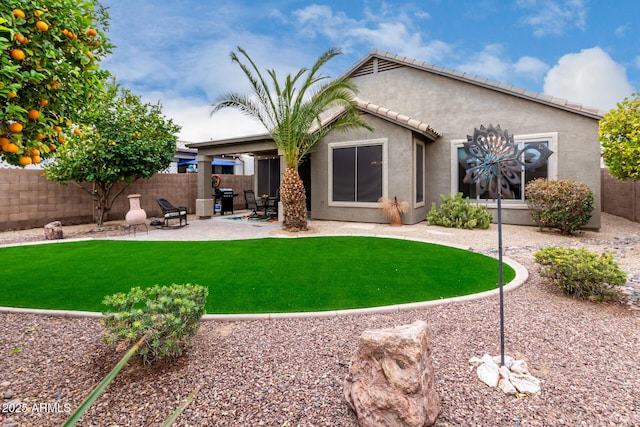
356, 172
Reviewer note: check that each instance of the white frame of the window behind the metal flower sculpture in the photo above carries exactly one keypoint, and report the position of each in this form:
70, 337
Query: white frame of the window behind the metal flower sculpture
552, 166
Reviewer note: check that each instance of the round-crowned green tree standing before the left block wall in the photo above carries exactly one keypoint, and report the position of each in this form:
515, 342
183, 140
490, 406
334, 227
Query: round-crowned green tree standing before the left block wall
122, 141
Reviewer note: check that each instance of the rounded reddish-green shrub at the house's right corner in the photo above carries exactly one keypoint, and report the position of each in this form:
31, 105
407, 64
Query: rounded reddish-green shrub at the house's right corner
563, 204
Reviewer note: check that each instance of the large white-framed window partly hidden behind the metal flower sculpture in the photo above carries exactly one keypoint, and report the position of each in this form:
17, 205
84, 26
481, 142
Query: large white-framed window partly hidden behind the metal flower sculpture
517, 188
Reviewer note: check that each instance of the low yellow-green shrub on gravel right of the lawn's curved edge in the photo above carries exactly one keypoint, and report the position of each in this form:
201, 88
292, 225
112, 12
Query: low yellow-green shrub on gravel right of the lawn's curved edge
580, 272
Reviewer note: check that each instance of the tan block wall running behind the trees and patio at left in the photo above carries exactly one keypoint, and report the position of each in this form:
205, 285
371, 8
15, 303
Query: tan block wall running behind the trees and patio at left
29, 200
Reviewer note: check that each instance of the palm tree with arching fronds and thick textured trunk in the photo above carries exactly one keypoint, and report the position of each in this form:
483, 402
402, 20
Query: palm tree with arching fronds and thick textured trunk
291, 112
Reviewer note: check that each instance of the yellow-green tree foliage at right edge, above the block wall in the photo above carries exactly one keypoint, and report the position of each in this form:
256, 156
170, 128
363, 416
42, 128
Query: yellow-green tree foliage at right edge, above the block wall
620, 137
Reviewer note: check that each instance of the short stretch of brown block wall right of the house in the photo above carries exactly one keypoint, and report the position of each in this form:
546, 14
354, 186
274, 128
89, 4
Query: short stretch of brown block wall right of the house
620, 198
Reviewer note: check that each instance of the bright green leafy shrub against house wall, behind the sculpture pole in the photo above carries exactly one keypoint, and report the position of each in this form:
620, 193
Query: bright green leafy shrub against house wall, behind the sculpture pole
459, 213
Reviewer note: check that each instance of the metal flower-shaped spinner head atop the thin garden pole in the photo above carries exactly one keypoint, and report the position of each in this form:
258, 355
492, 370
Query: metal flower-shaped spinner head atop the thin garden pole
494, 162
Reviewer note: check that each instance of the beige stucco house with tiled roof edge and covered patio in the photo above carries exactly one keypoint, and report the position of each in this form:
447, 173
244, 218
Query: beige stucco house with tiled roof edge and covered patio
421, 115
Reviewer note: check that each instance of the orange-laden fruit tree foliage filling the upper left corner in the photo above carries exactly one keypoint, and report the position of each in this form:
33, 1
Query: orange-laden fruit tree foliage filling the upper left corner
49, 54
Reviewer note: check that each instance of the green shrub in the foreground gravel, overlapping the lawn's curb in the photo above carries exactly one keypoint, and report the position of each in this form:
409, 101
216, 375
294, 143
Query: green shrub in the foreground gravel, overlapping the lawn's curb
167, 316
